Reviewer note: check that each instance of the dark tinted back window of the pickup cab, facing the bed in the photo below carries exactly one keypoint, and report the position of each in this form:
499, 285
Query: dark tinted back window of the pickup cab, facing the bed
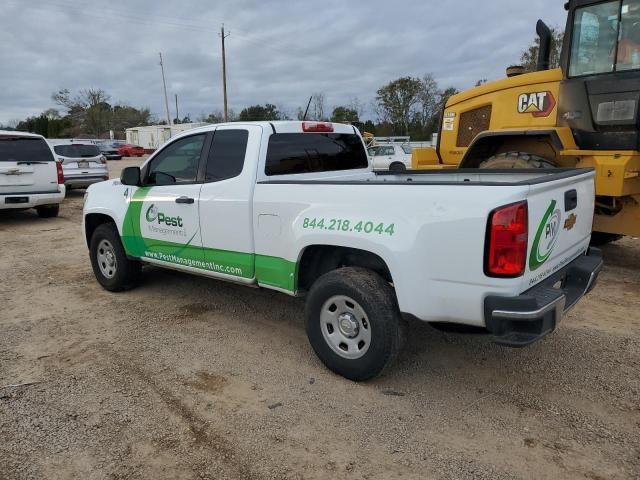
314, 152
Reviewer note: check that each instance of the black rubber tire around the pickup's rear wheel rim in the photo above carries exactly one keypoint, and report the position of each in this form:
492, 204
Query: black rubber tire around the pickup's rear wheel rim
378, 301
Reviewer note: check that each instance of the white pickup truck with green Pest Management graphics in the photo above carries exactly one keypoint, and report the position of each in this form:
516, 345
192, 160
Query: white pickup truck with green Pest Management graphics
293, 206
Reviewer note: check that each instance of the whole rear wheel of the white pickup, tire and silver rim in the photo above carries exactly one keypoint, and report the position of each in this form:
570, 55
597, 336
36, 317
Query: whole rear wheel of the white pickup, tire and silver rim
353, 322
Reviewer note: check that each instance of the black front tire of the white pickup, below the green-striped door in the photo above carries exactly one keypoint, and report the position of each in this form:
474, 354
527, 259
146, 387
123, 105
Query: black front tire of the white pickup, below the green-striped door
125, 273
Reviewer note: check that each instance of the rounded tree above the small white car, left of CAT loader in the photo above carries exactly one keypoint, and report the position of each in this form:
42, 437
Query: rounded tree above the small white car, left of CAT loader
397, 102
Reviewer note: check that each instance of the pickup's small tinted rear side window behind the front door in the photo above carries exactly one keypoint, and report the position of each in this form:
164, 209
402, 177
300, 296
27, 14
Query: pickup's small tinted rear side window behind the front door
226, 156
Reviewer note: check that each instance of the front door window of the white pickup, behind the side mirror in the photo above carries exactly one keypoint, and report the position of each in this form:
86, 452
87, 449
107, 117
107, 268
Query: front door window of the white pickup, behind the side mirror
177, 163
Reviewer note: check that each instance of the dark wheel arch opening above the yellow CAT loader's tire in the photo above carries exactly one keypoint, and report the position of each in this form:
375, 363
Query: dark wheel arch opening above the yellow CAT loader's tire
544, 143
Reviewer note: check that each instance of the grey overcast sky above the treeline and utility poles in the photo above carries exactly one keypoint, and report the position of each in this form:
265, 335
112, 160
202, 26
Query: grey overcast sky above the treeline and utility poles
278, 52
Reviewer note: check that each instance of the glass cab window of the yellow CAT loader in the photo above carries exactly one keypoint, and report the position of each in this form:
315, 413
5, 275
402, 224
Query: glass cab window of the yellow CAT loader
606, 38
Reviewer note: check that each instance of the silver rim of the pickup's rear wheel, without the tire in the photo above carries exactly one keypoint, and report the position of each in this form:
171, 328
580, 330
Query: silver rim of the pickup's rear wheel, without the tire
345, 327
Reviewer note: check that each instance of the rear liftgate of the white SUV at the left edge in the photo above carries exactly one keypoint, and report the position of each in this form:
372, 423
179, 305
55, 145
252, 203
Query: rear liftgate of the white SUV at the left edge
26, 165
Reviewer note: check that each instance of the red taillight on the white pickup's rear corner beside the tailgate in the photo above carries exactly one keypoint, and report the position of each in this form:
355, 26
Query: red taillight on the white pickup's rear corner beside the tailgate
506, 254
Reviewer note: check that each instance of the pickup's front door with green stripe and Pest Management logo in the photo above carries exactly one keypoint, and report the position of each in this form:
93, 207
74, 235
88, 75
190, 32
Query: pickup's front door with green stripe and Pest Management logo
162, 224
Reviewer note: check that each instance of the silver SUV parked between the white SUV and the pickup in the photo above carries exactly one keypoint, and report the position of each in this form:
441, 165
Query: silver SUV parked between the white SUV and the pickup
82, 162
